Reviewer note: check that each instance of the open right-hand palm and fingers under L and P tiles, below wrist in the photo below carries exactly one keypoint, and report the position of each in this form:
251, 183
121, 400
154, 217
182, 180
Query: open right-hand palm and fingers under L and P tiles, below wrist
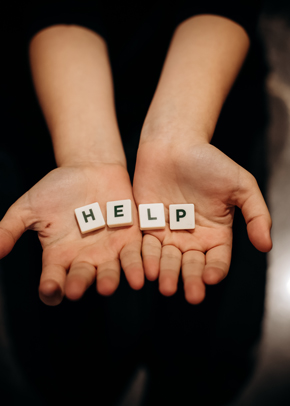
203, 175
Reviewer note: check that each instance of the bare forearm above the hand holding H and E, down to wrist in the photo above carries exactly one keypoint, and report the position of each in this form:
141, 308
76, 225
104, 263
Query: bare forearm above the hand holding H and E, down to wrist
72, 77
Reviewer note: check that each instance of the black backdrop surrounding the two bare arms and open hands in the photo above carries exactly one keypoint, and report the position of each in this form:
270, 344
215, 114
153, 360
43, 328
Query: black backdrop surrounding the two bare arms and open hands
91, 348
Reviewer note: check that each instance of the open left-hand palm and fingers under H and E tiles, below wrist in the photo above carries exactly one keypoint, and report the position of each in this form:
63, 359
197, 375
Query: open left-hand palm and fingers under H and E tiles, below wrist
72, 261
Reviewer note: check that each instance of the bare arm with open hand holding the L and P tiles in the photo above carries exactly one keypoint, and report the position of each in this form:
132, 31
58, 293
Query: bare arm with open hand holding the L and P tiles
177, 164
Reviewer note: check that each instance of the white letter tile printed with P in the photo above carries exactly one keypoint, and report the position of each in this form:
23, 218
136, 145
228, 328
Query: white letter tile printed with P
181, 216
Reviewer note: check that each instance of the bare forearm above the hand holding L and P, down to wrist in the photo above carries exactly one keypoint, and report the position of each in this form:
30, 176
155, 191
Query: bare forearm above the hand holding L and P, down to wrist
204, 58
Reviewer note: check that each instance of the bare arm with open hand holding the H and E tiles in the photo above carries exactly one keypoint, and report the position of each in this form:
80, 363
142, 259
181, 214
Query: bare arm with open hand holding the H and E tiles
72, 76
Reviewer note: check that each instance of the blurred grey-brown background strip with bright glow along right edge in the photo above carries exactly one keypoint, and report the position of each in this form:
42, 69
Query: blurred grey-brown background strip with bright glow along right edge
270, 382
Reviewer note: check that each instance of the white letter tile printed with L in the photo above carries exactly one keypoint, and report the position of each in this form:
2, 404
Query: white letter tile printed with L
151, 216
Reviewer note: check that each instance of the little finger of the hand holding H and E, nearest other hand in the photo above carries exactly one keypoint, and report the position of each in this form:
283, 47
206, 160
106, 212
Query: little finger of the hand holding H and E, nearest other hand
131, 263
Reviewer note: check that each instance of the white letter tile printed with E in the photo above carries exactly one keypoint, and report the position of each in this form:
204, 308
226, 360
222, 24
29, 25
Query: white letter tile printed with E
119, 213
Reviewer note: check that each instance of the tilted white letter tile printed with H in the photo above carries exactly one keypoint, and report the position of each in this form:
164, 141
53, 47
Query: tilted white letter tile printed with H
90, 218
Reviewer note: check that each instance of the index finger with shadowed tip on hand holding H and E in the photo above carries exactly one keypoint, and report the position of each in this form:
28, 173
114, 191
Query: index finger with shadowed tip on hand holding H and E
51, 285
